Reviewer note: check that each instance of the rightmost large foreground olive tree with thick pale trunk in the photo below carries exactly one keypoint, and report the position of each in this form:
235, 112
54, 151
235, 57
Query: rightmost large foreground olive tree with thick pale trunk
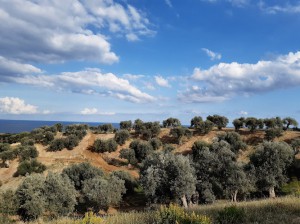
271, 161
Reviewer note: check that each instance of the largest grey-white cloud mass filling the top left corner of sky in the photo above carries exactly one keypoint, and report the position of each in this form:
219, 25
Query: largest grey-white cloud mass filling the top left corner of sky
56, 31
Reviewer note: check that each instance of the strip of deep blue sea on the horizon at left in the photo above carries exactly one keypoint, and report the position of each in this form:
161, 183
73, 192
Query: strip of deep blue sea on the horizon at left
18, 126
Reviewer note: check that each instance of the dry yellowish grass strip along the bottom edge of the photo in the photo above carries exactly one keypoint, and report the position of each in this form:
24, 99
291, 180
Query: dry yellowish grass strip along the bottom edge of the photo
269, 211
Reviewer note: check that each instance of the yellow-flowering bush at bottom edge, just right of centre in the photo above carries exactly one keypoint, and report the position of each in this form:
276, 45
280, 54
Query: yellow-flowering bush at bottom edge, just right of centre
175, 214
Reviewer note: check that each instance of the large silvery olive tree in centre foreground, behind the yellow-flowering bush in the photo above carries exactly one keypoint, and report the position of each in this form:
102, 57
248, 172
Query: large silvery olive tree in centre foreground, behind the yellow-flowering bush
165, 177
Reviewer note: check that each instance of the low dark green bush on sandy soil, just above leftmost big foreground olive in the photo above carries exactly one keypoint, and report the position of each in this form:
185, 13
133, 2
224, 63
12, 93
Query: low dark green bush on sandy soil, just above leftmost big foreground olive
28, 167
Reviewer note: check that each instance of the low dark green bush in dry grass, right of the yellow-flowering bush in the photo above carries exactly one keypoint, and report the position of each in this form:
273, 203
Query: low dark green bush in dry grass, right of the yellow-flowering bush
231, 215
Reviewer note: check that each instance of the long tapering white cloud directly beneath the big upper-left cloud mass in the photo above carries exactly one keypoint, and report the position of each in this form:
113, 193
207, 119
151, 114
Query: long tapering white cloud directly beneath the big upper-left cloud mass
89, 81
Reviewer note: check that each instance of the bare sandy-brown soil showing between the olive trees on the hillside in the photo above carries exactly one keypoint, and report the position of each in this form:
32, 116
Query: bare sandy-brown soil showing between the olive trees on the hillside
56, 161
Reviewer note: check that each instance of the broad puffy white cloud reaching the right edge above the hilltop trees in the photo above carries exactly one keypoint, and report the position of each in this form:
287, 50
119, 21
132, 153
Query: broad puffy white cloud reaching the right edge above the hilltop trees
226, 80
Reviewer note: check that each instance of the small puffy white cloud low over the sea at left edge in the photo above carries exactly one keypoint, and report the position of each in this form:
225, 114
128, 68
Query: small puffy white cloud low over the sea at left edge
14, 105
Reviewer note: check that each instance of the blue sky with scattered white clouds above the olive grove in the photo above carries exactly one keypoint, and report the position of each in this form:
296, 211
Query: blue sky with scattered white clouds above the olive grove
109, 60
